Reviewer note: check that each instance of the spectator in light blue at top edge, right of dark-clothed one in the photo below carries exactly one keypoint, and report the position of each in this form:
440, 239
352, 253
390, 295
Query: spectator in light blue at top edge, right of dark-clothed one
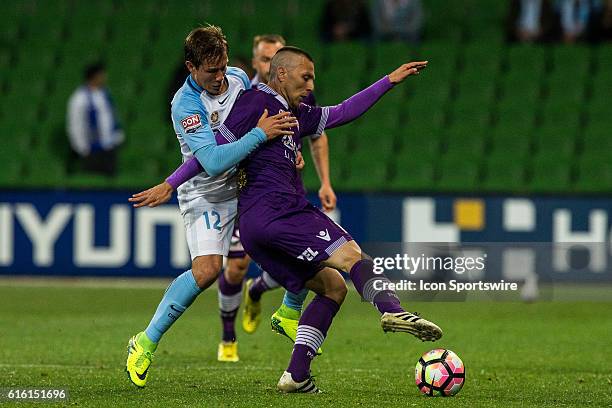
397, 20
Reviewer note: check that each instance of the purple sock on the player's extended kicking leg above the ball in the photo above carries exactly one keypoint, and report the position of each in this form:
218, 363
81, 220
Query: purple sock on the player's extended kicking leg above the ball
363, 277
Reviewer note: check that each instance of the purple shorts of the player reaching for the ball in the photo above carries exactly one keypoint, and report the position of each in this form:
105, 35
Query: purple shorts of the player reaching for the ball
289, 238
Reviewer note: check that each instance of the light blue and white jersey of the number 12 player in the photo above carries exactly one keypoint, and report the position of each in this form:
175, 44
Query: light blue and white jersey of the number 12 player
195, 114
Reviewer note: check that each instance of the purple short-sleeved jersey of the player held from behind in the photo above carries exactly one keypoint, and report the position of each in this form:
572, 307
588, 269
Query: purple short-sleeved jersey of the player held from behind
271, 168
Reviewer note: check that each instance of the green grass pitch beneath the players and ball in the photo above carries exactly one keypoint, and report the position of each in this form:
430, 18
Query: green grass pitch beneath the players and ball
74, 336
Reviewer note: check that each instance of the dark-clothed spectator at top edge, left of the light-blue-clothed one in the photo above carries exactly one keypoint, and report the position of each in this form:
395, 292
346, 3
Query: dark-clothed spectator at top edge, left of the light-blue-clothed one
345, 20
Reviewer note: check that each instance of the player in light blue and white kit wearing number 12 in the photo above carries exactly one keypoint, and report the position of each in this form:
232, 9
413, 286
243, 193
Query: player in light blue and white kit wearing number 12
208, 202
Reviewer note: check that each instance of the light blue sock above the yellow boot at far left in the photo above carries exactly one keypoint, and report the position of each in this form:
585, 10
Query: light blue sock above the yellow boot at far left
179, 296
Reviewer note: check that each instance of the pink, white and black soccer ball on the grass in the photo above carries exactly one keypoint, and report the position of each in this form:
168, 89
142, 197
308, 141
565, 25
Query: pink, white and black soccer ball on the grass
439, 372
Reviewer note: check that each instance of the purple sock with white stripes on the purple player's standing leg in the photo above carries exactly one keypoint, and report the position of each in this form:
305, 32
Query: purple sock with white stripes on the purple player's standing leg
312, 329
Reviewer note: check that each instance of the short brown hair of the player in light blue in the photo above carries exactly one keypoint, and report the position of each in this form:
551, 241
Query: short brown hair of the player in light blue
205, 44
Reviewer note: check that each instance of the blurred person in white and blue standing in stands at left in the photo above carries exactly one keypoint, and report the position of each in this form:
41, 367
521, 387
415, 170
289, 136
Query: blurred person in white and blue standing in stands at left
92, 124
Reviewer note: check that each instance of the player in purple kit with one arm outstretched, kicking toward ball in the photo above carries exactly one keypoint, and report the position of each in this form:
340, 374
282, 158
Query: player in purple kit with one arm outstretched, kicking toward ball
293, 241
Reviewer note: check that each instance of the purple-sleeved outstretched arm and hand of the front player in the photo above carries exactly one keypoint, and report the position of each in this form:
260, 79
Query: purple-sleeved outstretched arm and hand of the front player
359, 103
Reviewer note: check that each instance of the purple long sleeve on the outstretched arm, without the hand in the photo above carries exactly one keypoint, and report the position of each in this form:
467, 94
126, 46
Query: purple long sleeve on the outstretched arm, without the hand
357, 104
